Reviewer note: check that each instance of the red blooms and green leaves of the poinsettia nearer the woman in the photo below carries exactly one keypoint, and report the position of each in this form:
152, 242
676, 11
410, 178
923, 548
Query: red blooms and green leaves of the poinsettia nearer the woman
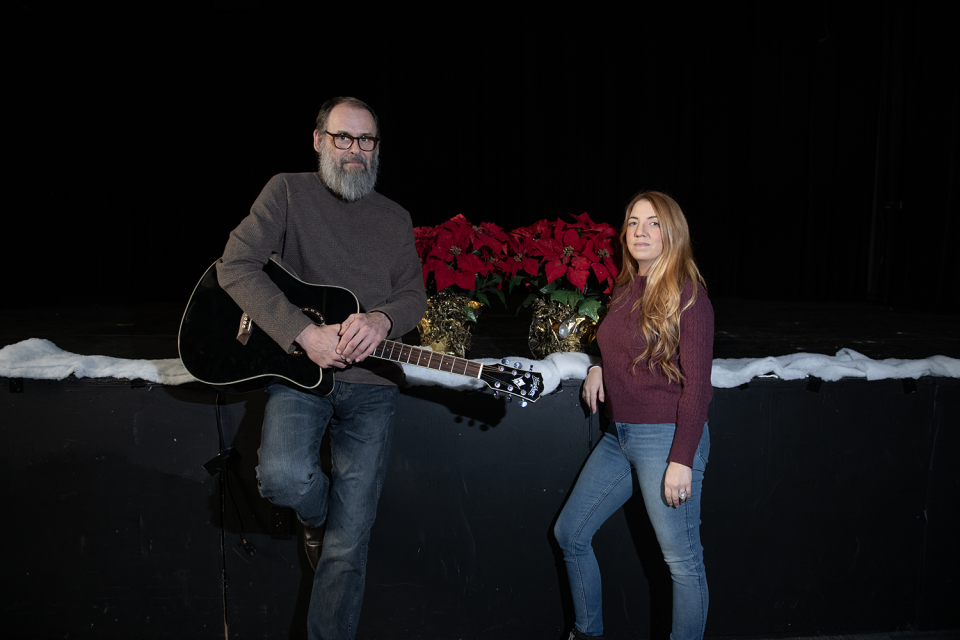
568, 262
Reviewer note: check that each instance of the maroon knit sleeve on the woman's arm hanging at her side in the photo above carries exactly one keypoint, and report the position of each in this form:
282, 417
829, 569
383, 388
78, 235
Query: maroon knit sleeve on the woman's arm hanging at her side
696, 362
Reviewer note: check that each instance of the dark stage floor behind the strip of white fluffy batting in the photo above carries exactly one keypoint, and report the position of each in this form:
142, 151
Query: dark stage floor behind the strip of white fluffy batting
744, 329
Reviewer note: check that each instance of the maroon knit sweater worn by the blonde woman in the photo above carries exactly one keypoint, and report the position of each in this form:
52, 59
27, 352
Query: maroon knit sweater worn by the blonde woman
646, 397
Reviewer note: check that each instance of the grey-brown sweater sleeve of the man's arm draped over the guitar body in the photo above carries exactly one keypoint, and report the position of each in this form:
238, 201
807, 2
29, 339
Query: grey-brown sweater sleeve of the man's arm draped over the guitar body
241, 273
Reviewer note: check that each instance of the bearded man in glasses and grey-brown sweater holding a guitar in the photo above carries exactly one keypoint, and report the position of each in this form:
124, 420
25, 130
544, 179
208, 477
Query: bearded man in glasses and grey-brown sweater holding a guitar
331, 228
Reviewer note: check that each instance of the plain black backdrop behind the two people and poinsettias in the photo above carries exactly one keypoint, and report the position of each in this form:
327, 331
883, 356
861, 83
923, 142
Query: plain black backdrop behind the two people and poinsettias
812, 145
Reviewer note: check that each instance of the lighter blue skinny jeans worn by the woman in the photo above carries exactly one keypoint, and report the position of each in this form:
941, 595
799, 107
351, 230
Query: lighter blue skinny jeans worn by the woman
603, 486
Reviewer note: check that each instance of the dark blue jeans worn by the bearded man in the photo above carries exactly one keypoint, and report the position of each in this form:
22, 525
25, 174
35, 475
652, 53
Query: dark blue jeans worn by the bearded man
360, 418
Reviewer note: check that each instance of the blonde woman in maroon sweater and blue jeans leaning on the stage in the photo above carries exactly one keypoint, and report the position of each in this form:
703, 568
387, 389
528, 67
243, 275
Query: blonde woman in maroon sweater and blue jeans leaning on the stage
654, 384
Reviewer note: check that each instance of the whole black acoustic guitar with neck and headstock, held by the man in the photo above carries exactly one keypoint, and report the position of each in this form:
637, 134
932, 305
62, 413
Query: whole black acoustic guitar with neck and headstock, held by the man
220, 345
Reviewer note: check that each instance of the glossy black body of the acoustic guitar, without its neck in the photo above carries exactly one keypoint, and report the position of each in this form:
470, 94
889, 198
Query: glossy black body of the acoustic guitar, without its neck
211, 351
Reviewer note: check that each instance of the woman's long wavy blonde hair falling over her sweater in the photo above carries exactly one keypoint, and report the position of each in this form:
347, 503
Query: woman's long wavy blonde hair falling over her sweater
659, 306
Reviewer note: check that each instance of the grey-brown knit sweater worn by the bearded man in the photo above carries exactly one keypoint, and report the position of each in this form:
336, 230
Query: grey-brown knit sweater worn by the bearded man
365, 246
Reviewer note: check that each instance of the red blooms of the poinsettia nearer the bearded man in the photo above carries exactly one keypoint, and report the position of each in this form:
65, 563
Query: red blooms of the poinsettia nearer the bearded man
464, 256
